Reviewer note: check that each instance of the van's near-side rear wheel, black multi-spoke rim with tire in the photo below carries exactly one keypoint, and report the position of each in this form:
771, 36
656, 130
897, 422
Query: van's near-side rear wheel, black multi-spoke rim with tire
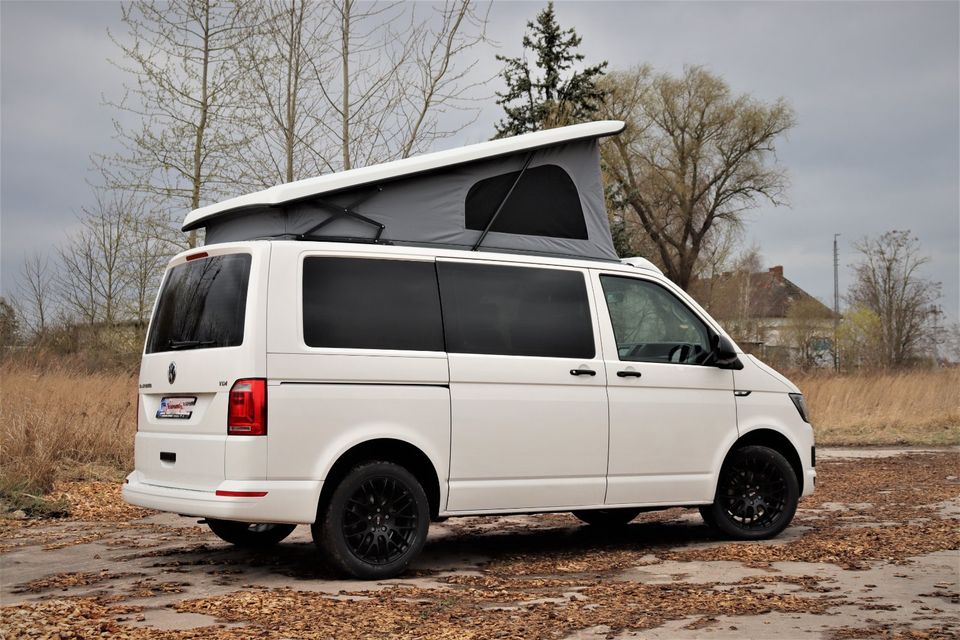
374, 523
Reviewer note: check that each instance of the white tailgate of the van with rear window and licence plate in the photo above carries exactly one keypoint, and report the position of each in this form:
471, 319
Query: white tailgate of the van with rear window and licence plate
202, 338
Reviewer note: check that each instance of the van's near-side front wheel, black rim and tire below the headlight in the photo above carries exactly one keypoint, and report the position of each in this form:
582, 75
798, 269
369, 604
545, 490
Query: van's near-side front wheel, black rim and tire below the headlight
757, 495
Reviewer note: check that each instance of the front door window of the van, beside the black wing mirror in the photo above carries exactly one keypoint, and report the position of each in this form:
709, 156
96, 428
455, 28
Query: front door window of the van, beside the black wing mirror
651, 324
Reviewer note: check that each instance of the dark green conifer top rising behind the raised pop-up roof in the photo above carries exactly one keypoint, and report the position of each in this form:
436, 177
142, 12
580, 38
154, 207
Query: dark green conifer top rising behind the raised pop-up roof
560, 95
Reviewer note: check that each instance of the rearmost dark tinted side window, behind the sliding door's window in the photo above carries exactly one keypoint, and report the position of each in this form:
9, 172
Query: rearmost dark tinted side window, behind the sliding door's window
371, 304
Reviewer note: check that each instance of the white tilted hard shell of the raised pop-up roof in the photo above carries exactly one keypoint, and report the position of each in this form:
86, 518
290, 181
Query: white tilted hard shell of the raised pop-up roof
388, 171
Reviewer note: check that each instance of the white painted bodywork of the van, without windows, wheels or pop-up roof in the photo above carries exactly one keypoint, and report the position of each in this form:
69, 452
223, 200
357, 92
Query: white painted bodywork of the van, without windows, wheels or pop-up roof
503, 433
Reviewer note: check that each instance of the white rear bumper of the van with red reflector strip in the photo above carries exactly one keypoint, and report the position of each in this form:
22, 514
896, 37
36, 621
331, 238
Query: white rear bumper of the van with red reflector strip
287, 501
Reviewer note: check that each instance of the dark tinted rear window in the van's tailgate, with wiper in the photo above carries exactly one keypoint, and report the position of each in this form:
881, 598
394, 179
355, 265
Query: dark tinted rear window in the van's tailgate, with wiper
202, 305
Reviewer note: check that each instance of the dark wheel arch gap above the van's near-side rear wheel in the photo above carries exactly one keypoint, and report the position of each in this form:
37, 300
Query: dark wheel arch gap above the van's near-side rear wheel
407, 455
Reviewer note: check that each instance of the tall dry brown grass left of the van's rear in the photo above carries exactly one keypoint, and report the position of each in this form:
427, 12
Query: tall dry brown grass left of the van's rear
62, 423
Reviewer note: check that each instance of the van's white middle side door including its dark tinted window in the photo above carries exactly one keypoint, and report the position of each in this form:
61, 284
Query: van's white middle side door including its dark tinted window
528, 402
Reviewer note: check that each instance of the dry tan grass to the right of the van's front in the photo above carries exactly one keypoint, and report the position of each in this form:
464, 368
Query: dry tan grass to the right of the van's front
909, 407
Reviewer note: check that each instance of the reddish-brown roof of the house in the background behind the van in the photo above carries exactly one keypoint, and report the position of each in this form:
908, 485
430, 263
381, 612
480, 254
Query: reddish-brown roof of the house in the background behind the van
768, 294
